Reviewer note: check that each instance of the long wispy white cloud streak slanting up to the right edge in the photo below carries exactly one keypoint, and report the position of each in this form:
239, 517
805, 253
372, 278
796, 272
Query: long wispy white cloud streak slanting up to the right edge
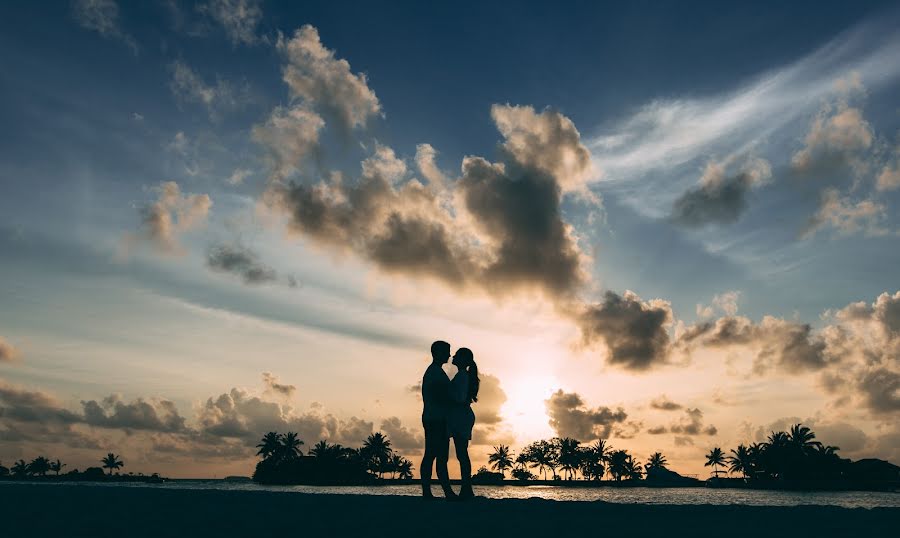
672, 131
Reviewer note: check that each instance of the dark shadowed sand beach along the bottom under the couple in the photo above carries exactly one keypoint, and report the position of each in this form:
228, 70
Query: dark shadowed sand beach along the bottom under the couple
28, 510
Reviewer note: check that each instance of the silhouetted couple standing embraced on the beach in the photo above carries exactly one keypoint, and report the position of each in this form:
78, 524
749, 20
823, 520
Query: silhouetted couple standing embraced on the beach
447, 412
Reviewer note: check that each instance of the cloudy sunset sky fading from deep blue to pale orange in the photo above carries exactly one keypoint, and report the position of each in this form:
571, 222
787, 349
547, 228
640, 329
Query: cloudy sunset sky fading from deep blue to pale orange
671, 226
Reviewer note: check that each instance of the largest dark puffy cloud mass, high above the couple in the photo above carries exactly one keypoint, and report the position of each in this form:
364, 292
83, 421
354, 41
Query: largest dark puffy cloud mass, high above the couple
498, 228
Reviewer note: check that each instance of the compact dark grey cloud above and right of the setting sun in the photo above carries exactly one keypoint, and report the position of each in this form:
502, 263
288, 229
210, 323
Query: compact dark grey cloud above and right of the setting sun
633, 331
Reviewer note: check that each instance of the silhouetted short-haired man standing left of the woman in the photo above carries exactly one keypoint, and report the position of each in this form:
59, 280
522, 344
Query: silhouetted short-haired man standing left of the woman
435, 399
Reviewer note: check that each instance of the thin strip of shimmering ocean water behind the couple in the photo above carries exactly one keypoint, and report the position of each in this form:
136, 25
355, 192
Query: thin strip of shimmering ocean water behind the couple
636, 495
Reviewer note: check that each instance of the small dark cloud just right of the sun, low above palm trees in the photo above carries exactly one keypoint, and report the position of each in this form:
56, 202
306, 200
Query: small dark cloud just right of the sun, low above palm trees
569, 417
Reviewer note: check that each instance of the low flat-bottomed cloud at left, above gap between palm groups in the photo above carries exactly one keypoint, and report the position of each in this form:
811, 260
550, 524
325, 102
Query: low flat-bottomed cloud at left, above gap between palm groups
112, 412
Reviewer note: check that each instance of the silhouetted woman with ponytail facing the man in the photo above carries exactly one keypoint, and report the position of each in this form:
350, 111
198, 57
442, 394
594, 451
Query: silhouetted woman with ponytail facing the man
460, 417
